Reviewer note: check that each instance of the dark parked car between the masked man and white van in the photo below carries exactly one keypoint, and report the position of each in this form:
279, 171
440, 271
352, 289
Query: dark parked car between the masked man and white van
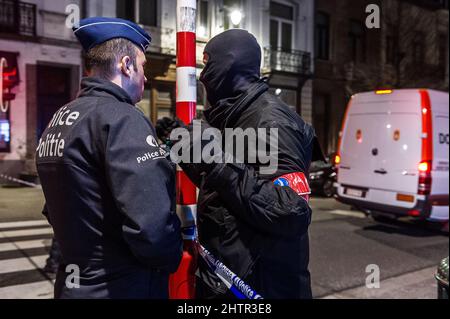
322, 176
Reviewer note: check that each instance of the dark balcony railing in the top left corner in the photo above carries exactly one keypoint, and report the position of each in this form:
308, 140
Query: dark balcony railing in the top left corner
17, 17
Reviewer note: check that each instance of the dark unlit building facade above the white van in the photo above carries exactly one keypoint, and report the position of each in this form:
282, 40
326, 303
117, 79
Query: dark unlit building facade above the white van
409, 50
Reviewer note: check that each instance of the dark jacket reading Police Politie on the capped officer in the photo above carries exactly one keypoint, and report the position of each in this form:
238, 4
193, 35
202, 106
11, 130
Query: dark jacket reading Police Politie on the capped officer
110, 196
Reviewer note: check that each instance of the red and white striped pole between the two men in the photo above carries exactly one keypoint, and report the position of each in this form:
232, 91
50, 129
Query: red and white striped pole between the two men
182, 283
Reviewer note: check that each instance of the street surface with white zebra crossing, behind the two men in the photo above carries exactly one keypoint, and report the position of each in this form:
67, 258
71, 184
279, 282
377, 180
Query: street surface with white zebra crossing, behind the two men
343, 243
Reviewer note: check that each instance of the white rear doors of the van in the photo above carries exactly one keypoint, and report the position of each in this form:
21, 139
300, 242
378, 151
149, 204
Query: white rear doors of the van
381, 146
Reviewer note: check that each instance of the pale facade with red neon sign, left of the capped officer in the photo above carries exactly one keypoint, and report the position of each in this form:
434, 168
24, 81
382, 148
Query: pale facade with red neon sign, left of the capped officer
43, 68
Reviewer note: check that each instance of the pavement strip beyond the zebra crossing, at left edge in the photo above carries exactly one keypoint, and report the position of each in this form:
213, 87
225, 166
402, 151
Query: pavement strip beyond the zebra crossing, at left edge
21, 203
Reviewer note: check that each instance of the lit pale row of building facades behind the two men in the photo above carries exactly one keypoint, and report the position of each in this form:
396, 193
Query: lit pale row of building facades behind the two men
37, 43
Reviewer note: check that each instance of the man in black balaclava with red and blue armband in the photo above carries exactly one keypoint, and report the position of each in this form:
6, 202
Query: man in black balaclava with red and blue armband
253, 221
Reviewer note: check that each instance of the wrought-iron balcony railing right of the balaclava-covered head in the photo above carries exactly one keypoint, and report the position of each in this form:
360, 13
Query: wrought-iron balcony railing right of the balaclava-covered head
292, 61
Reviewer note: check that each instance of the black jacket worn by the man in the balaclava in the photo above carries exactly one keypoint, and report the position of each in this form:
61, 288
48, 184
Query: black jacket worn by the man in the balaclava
258, 229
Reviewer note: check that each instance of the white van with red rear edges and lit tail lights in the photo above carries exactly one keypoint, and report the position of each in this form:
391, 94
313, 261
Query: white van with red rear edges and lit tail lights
393, 155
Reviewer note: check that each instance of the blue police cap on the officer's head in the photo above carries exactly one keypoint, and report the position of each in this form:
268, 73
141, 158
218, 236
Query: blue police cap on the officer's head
97, 30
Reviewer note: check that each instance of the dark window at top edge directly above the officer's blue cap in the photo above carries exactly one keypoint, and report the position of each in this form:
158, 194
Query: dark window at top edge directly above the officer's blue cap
140, 11
